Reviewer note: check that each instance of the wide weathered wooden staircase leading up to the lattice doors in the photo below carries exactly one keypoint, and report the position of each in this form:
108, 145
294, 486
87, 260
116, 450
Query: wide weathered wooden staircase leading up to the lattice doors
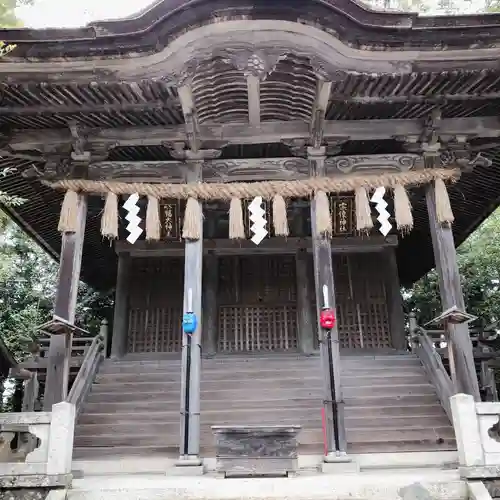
133, 408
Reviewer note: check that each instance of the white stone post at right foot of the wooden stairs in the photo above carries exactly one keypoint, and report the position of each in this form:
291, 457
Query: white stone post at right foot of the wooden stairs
467, 434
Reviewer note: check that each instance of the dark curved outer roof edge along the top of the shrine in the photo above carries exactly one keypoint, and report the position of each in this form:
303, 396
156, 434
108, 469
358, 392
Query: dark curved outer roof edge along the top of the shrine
354, 24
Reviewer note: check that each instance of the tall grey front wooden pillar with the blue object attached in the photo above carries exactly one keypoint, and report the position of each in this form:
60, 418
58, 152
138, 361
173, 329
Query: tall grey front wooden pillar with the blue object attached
191, 344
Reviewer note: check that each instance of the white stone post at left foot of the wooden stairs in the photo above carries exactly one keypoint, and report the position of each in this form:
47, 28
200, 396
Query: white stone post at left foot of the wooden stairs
62, 430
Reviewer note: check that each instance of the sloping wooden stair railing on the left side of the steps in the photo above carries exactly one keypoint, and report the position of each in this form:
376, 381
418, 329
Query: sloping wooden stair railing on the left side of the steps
94, 355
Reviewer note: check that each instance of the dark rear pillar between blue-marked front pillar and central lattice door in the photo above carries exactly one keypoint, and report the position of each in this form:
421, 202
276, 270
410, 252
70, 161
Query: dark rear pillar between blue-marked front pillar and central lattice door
210, 306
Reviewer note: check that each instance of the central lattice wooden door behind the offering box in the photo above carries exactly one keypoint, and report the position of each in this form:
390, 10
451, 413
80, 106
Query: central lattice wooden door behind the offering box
257, 303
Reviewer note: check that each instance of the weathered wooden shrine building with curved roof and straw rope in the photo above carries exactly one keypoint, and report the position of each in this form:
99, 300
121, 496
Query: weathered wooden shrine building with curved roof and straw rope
153, 151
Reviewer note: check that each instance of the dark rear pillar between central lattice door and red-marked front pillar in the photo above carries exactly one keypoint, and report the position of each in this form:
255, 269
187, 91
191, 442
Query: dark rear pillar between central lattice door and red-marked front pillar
304, 312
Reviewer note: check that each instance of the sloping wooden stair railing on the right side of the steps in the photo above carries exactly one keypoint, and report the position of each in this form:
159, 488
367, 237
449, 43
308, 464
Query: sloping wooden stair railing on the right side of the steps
425, 349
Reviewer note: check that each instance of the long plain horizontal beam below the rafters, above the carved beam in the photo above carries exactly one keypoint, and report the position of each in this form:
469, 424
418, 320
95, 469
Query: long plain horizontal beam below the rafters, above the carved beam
266, 132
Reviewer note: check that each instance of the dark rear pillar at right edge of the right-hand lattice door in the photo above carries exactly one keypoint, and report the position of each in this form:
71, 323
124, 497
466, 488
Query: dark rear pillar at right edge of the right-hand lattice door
395, 301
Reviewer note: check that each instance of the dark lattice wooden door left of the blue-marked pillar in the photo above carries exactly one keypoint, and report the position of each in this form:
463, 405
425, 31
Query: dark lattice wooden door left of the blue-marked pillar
155, 305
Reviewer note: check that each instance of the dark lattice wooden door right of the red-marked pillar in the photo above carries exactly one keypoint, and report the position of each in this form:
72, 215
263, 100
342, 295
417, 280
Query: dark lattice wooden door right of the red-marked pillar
362, 315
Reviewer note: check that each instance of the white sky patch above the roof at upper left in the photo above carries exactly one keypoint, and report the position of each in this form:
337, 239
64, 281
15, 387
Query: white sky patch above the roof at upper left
76, 13
